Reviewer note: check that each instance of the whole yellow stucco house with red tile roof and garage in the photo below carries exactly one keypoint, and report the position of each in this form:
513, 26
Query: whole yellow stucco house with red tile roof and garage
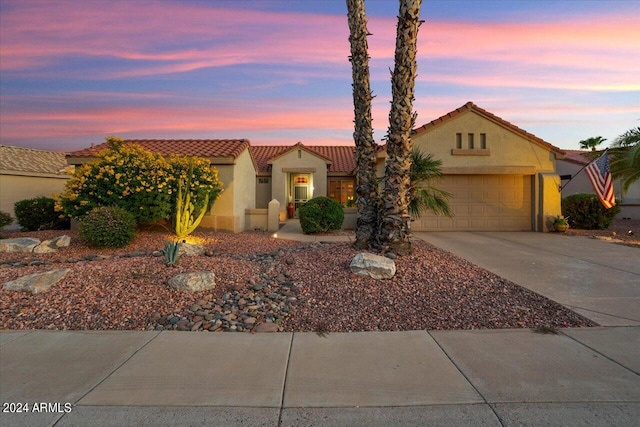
501, 177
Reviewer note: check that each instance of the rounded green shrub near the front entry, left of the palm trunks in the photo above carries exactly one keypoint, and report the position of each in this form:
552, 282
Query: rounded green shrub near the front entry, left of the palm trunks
321, 214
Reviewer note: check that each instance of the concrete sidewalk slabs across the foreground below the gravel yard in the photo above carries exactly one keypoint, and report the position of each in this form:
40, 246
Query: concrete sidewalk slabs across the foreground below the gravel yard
476, 378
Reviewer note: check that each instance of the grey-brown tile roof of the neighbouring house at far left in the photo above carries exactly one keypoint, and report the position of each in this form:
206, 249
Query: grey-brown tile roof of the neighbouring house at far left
21, 159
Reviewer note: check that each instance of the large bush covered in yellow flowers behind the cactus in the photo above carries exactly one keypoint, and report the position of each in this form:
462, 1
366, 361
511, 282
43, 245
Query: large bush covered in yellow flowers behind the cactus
139, 181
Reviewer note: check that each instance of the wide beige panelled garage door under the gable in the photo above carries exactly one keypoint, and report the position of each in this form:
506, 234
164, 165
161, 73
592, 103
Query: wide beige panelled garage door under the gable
483, 203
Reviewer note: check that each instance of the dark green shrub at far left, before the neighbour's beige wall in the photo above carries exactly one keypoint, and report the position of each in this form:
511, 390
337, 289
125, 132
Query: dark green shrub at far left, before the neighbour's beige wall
39, 214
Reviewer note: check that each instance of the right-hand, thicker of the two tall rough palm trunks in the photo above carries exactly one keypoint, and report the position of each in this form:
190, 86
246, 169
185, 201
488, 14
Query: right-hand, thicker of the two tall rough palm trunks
395, 225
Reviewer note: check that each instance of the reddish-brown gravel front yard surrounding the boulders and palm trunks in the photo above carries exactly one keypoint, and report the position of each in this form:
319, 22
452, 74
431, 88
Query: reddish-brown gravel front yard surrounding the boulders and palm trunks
262, 281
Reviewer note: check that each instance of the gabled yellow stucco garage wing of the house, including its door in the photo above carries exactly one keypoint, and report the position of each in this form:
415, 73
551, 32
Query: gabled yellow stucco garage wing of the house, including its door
502, 178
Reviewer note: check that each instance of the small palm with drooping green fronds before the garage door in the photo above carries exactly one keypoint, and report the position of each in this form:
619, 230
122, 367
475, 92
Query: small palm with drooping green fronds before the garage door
423, 198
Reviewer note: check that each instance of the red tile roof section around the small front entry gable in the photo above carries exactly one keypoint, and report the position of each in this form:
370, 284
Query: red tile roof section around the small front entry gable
340, 158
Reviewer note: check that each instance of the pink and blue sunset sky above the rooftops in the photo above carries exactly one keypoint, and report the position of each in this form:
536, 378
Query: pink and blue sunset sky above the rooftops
277, 72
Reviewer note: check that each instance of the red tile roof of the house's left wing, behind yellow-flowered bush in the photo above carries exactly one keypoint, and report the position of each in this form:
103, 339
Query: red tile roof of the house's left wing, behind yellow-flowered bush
187, 147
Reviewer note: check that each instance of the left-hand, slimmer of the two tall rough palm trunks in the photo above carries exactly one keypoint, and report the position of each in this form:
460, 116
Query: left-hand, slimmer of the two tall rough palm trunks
366, 187
